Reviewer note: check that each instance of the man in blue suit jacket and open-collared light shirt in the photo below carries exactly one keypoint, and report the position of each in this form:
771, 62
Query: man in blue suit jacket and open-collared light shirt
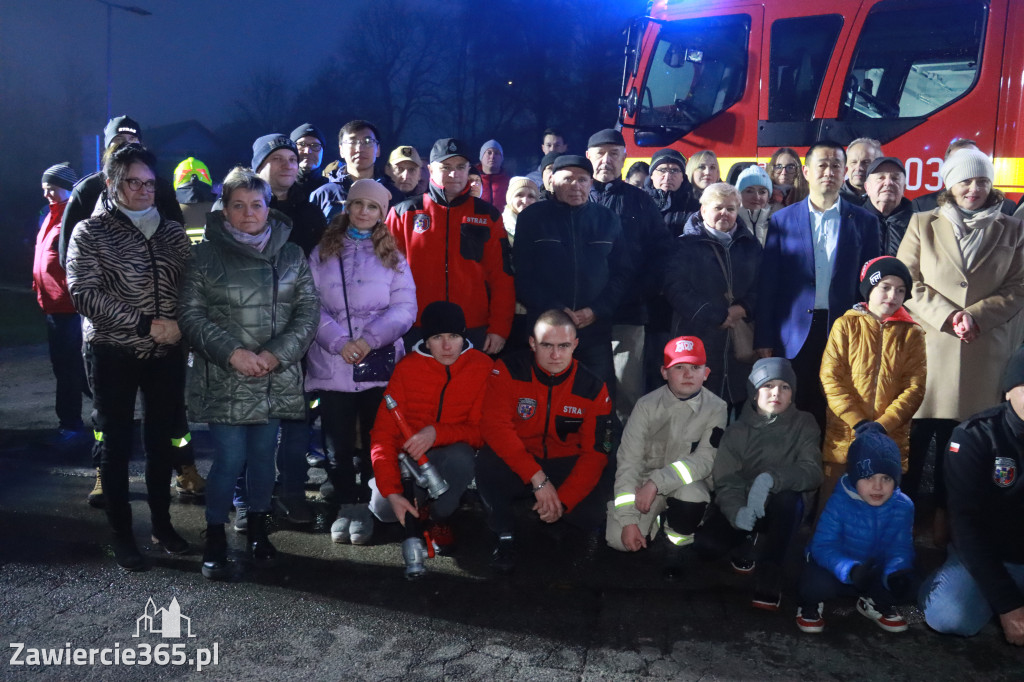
810, 272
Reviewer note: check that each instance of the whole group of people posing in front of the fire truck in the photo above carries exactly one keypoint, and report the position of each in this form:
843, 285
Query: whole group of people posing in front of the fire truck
627, 358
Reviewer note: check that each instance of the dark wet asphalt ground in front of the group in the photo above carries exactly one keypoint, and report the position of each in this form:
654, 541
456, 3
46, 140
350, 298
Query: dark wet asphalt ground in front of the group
342, 613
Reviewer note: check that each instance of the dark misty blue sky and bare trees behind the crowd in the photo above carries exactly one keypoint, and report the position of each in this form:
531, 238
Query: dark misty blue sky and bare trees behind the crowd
419, 70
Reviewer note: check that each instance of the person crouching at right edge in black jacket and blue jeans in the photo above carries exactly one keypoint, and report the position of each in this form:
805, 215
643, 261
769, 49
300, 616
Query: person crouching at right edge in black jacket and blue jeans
985, 573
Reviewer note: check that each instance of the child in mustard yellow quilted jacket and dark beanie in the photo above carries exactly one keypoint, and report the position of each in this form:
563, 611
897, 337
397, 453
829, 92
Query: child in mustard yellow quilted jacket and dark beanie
874, 369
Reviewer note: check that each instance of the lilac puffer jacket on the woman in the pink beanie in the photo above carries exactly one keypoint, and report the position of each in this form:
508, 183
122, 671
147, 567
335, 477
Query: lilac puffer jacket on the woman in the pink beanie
383, 308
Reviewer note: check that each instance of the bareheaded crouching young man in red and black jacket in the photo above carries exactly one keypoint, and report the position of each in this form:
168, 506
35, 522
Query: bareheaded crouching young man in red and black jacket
545, 419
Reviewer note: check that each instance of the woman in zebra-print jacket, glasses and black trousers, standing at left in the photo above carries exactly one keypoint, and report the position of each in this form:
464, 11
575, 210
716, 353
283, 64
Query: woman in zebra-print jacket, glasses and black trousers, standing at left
124, 269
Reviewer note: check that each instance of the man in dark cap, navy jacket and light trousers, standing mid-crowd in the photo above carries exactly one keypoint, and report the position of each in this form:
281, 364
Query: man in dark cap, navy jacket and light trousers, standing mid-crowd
648, 241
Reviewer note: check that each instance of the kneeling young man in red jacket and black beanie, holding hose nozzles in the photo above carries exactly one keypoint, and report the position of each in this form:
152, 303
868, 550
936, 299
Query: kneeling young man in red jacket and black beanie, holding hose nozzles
440, 389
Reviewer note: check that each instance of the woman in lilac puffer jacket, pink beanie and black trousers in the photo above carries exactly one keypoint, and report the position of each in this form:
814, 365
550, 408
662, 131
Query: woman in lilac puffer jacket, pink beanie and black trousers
370, 310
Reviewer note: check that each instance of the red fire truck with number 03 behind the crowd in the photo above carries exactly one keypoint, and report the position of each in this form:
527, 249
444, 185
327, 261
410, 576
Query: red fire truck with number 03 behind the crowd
746, 77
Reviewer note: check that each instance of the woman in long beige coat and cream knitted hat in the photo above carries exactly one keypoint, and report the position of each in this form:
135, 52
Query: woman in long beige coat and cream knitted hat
967, 263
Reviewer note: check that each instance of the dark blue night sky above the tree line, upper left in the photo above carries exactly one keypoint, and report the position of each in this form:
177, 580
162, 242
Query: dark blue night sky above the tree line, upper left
183, 63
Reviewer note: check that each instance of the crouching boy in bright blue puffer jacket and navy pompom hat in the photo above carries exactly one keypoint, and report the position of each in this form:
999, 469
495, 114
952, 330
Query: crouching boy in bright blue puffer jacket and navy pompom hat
864, 545
